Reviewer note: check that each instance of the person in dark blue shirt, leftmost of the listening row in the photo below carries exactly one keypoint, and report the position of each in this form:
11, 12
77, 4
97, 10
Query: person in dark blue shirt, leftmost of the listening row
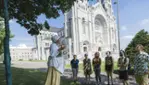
75, 65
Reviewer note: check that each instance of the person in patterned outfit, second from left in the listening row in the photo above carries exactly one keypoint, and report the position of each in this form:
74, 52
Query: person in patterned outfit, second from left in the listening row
87, 68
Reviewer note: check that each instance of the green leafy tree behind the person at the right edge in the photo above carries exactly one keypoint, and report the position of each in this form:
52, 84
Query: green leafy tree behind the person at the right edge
142, 37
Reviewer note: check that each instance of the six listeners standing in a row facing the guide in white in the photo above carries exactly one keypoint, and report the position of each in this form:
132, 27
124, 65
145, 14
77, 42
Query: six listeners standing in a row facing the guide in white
141, 62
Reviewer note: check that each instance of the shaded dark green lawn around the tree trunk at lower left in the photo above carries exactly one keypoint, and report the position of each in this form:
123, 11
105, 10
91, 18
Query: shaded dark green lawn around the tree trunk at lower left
26, 77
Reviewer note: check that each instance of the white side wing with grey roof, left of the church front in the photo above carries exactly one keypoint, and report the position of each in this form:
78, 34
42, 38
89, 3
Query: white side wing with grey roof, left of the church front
43, 41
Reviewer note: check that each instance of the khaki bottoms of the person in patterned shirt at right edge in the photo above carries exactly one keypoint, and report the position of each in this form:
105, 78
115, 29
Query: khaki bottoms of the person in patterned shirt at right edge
142, 79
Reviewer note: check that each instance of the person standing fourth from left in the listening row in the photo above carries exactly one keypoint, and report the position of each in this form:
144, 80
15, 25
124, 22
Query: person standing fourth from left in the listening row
109, 65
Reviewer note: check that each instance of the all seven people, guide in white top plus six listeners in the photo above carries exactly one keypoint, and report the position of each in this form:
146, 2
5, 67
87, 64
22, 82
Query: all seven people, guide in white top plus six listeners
56, 65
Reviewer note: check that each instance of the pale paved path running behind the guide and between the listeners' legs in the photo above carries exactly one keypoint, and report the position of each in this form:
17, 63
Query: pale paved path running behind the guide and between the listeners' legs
42, 66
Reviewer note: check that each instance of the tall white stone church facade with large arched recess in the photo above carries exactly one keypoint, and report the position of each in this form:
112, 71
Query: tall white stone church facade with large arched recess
91, 28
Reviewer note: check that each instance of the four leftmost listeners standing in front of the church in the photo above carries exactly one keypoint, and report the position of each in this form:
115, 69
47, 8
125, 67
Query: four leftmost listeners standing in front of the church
96, 63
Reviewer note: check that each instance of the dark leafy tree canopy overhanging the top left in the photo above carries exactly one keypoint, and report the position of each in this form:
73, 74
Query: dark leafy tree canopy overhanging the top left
26, 12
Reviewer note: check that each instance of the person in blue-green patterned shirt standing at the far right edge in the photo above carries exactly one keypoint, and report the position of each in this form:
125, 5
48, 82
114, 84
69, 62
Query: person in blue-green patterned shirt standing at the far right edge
141, 69
